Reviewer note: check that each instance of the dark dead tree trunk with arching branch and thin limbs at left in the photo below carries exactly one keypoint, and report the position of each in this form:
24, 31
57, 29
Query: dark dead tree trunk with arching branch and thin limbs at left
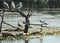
22, 14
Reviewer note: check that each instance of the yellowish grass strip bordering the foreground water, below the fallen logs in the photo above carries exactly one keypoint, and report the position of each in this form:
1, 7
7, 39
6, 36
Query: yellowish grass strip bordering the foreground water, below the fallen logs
24, 37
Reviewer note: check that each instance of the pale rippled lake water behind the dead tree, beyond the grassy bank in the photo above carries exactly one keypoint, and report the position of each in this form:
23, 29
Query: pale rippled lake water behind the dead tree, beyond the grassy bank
52, 20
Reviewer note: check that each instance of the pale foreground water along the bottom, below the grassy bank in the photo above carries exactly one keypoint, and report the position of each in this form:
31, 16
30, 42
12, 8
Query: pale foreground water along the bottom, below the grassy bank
46, 39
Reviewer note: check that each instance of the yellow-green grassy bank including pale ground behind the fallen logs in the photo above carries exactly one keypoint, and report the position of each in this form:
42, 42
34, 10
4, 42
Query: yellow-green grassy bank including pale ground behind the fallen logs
45, 32
